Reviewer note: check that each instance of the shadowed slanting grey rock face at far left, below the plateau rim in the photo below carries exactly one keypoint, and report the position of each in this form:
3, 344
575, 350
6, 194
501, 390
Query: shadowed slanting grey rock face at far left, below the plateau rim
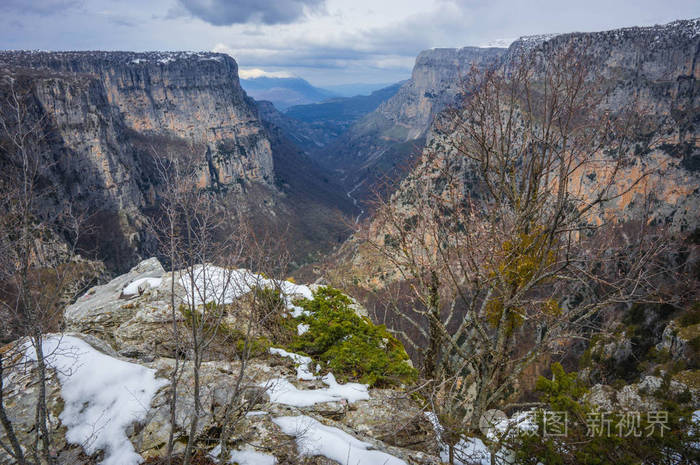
95, 159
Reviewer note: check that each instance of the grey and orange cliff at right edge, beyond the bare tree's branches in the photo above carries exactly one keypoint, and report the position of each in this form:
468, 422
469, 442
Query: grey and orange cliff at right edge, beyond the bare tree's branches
657, 71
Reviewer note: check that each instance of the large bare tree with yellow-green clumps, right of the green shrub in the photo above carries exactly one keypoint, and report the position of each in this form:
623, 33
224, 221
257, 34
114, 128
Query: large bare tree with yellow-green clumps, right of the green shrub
505, 234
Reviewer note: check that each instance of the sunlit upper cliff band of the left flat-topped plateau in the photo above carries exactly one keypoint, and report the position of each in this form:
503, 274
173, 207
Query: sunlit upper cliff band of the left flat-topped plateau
194, 96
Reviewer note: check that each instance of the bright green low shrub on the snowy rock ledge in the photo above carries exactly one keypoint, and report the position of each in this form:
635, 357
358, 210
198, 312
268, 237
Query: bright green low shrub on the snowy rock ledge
350, 346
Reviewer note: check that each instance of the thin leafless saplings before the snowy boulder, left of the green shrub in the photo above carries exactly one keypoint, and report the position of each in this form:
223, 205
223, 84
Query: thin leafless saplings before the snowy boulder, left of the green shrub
209, 244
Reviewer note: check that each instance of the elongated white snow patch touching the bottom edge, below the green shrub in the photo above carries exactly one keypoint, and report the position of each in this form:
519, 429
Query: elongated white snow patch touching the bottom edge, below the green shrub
314, 438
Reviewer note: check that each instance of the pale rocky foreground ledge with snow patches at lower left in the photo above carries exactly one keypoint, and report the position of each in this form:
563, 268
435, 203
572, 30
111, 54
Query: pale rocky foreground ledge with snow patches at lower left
118, 348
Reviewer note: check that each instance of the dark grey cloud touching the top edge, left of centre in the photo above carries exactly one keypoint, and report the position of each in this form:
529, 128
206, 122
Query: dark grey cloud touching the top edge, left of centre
226, 13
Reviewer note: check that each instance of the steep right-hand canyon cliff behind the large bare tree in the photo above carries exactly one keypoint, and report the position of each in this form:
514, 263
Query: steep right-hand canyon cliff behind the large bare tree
652, 70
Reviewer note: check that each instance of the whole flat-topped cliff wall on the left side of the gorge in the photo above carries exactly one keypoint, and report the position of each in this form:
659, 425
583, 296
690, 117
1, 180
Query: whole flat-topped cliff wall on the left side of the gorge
106, 117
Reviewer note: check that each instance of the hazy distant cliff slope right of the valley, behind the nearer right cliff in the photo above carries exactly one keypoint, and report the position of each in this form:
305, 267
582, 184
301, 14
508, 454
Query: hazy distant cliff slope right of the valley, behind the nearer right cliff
382, 143
